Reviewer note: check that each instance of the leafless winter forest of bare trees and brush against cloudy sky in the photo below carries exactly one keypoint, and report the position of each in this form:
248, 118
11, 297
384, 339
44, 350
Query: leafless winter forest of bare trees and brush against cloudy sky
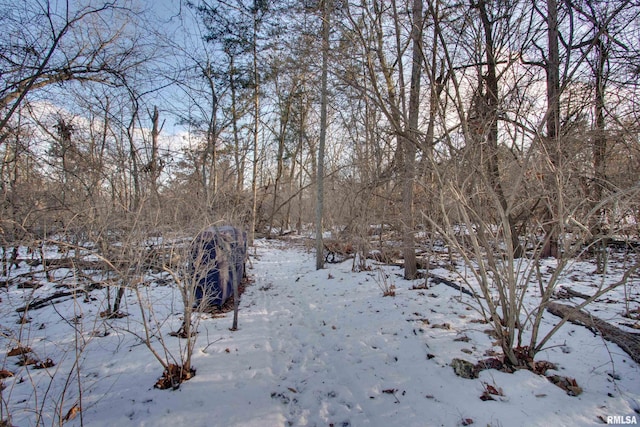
496, 135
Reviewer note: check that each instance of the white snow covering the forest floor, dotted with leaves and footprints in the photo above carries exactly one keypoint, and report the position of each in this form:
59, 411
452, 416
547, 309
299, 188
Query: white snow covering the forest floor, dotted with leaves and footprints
314, 348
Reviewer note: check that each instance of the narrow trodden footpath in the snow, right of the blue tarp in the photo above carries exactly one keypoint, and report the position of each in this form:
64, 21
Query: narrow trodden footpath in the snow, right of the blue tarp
318, 369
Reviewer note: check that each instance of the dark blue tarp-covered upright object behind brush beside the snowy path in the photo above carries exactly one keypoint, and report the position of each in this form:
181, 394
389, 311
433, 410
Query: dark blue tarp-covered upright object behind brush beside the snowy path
218, 258
